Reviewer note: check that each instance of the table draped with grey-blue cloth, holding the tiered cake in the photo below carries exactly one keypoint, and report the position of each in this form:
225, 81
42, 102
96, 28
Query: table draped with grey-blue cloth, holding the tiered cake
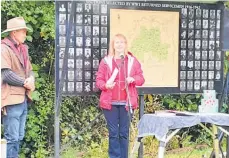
159, 125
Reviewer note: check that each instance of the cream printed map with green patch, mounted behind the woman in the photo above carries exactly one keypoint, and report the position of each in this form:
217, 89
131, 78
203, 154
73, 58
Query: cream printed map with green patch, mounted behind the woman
153, 37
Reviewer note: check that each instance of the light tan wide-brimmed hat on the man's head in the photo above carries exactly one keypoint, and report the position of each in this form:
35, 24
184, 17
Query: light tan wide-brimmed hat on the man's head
16, 24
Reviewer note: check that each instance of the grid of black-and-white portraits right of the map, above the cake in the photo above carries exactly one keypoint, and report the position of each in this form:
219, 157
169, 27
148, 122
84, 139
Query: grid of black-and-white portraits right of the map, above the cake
200, 51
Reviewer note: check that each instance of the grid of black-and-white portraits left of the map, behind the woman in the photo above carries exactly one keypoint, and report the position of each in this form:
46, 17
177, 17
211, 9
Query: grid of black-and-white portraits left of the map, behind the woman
88, 44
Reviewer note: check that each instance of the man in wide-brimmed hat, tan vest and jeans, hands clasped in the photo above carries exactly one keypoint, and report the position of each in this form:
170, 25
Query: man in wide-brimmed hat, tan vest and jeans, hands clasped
17, 83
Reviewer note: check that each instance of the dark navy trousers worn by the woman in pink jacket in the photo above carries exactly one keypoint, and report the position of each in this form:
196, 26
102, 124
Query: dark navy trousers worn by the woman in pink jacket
118, 126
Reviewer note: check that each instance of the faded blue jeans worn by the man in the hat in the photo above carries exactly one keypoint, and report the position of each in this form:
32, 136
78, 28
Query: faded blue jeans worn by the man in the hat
14, 127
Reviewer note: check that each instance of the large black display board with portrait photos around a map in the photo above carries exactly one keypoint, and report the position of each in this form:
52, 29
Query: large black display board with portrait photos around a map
178, 44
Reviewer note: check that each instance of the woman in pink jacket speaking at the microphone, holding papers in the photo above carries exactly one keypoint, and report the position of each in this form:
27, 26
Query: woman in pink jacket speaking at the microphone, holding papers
117, 72
